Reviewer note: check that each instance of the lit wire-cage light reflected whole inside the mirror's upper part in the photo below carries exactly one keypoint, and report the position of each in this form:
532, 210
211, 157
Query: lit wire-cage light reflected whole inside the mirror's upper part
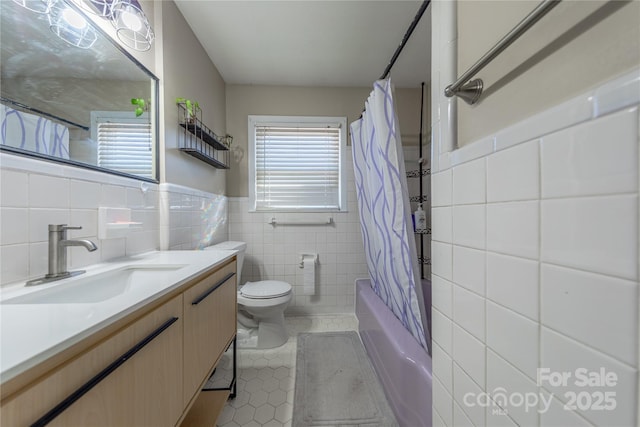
70, 25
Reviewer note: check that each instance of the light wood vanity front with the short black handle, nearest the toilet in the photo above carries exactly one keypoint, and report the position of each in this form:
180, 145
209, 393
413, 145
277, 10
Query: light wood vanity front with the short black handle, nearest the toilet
209, 326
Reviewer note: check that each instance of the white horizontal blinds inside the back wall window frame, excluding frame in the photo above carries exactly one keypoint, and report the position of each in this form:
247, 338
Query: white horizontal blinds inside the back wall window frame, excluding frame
297, 168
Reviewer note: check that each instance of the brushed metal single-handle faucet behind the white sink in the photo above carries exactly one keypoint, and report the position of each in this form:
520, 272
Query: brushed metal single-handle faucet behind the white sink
58, 244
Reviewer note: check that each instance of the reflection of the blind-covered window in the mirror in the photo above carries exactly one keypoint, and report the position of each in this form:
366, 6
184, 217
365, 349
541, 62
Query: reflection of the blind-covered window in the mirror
125, 143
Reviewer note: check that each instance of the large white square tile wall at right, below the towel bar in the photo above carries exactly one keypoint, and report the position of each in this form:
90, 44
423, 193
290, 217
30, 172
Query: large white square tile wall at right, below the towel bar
535, 265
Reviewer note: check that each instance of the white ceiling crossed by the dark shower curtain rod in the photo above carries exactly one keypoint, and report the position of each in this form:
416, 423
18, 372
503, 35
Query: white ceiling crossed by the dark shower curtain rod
311, 42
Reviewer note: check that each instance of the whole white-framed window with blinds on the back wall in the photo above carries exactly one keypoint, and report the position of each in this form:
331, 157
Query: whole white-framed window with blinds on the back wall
296, 164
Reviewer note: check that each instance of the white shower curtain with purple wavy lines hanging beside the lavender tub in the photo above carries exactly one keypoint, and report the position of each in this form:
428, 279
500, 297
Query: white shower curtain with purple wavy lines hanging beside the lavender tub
385, 213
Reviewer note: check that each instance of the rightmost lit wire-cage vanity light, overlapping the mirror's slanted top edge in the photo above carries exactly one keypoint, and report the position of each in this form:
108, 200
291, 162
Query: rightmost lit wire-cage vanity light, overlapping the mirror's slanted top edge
131, 24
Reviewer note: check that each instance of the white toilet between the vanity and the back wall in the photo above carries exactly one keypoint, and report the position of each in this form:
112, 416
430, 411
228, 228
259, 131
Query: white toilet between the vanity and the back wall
260, 304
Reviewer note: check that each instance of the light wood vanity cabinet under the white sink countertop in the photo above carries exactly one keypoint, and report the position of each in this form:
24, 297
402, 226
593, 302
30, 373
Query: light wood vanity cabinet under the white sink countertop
176, 344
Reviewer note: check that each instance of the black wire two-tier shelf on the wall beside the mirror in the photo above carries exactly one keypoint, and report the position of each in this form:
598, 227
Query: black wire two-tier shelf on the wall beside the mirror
201, 142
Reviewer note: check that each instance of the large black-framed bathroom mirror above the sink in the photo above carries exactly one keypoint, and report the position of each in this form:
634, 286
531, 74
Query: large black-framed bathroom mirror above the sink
70, 100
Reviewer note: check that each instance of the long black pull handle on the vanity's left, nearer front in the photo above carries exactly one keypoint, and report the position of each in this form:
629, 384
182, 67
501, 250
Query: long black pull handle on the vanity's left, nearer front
58, 409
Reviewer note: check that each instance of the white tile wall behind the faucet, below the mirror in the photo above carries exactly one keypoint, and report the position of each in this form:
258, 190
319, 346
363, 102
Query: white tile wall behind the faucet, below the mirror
34, 194
